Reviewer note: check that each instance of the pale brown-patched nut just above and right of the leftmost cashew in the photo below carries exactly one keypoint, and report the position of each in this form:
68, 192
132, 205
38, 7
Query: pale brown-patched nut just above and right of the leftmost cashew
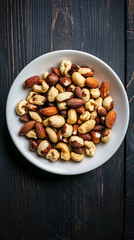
35, 98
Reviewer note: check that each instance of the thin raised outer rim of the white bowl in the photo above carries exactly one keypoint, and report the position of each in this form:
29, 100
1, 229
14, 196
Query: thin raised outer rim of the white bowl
71, 52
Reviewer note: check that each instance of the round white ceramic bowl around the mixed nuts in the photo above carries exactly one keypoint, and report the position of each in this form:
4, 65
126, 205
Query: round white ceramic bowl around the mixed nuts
102, 73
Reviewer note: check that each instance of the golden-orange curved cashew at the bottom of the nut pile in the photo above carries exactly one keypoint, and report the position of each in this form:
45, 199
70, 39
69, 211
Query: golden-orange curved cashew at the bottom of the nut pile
65, 152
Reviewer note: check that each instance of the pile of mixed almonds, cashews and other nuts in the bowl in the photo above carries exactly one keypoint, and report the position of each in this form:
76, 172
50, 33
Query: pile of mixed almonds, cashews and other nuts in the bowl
66, 110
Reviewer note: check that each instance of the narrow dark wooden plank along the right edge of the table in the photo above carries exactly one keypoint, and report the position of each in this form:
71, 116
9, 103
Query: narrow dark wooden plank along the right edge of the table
129, 198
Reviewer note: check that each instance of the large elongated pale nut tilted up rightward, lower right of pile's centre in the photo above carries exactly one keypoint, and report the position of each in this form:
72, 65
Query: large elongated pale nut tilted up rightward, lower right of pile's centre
86, 126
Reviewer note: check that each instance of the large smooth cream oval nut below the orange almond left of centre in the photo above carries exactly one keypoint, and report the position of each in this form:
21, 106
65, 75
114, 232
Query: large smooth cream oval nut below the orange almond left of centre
56, 121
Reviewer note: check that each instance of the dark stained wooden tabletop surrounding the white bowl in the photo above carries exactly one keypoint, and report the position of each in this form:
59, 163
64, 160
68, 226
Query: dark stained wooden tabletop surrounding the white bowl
35, 204
